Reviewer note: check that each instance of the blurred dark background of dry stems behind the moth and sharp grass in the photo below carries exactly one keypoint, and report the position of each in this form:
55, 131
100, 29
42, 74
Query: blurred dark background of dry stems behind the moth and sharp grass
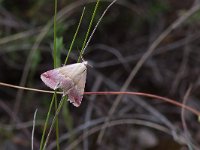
130, 28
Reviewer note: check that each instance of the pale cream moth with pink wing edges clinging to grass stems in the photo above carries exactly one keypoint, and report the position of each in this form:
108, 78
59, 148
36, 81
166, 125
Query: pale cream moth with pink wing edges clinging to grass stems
70, 78
